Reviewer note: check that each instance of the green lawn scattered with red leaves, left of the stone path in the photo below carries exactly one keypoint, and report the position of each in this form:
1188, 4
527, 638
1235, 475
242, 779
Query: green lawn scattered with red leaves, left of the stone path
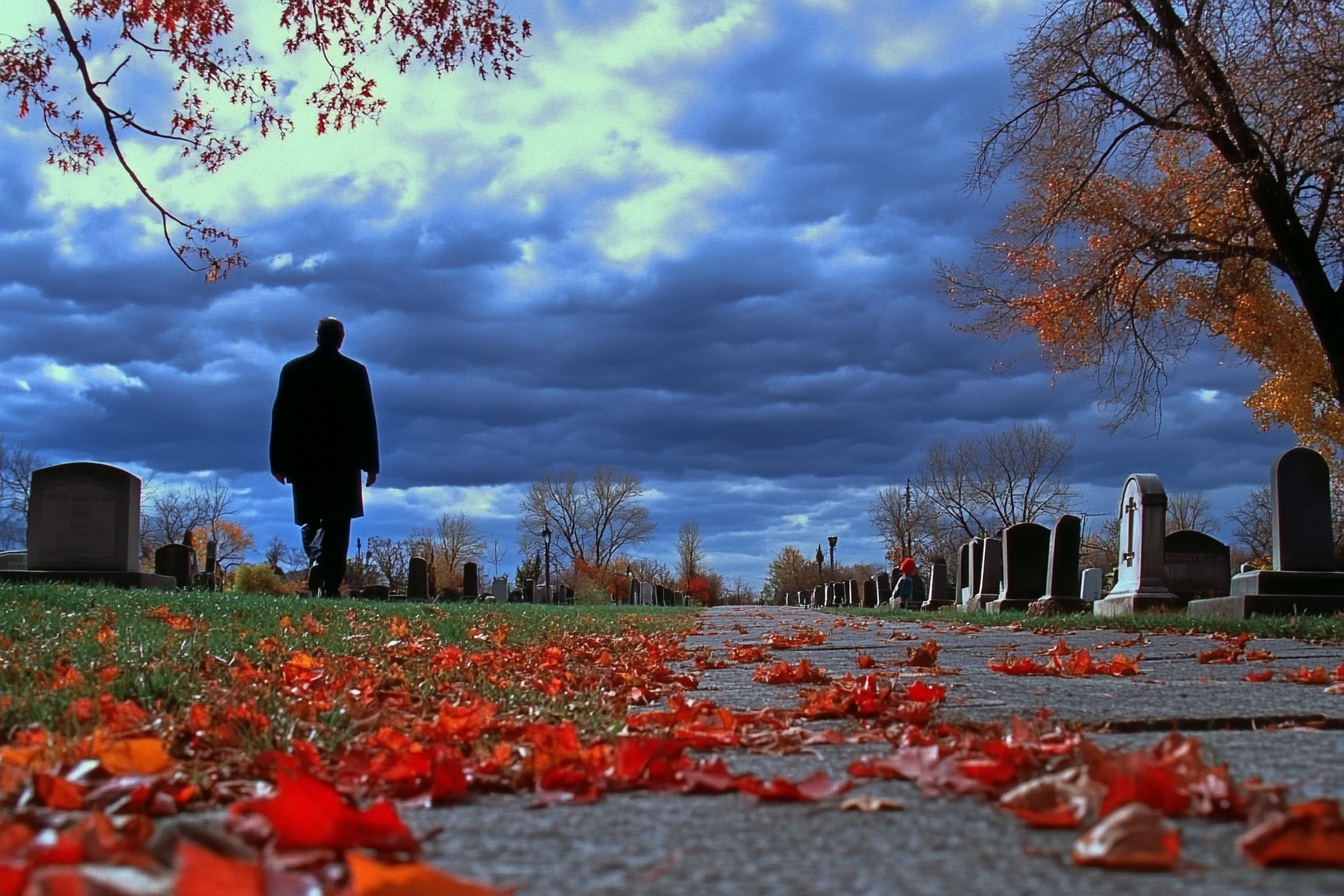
48, 628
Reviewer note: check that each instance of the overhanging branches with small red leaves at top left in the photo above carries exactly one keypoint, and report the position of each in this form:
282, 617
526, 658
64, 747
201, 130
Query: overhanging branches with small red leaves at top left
107, 75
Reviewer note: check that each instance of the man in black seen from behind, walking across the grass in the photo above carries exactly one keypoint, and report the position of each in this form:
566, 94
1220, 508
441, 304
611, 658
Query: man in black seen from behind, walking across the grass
323, 433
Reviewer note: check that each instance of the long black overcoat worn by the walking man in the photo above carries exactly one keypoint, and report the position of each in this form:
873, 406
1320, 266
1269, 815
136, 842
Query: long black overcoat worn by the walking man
323, 433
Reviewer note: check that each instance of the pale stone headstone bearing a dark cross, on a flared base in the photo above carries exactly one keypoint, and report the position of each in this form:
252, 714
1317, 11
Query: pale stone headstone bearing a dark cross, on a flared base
1143, 533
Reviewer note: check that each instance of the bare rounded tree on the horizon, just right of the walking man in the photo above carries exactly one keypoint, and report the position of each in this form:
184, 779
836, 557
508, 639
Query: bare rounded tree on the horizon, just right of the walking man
589, 521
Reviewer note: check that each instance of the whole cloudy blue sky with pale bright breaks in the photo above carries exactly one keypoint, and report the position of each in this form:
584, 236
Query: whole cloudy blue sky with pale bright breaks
691, 240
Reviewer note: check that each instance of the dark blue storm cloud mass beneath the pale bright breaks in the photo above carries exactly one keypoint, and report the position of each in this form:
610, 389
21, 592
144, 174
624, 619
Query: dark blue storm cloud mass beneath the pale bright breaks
765, 381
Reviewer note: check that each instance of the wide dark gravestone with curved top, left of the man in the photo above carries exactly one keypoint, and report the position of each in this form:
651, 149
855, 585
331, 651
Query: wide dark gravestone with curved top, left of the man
84, 526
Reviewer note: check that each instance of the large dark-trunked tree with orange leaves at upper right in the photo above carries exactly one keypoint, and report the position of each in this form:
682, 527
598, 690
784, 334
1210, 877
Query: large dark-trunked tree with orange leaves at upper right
1179, 167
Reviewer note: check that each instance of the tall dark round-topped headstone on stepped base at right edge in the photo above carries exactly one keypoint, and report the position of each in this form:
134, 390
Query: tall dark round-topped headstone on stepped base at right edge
1304, 580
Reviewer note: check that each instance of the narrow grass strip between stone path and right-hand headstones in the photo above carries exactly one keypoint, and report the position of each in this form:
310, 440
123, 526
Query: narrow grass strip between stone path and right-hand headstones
1314, 629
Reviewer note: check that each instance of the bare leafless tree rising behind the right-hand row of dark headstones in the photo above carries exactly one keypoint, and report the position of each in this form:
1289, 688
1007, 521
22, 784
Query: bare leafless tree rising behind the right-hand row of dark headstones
984, 483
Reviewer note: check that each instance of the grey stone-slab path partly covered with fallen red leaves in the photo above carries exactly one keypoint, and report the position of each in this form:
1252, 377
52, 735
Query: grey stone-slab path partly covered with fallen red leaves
650, 843
